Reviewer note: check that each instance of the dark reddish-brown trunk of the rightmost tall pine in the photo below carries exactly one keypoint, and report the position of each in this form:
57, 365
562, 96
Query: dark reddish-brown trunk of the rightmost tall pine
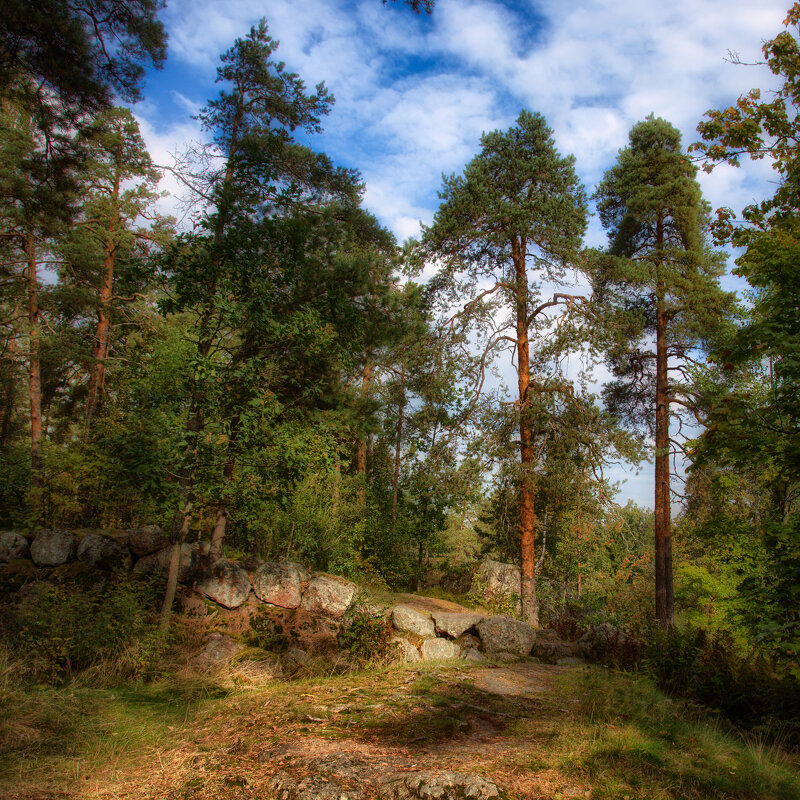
663, 522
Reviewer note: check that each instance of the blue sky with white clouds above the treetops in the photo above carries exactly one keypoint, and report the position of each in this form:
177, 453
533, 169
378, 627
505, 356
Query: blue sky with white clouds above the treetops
414, 93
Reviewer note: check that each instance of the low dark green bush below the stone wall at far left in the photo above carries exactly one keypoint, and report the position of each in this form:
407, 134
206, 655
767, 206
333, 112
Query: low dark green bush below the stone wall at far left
64, 629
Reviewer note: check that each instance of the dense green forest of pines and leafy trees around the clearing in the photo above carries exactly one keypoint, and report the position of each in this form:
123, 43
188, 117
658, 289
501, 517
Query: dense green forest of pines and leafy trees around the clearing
278, 379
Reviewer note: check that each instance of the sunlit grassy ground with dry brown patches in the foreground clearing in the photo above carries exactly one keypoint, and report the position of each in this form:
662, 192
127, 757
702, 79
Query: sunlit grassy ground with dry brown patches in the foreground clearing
593, 733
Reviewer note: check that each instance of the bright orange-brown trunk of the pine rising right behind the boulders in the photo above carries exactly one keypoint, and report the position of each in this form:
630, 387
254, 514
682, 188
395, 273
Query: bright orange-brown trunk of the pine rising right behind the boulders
527, 515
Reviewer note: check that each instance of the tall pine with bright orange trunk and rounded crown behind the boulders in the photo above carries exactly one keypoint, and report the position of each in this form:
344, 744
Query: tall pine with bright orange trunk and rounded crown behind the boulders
514, 220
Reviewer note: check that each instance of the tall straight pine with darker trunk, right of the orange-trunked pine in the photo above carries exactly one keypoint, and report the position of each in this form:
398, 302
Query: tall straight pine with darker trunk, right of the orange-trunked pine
659, 281
